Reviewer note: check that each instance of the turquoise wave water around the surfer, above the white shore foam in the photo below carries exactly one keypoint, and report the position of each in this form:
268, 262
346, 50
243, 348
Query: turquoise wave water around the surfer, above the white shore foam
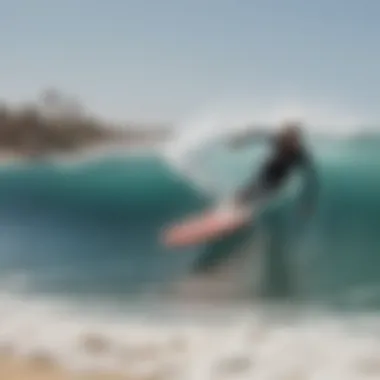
92, 228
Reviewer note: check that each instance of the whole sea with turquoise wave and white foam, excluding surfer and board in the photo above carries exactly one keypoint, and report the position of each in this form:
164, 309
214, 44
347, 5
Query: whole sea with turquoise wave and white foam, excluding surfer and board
85, 279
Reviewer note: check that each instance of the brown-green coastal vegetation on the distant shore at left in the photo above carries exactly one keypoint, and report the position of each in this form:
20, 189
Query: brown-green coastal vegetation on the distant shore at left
57, 123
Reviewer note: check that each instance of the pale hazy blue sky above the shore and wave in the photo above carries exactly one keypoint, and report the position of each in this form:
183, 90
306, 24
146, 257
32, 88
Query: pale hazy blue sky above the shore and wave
162, 60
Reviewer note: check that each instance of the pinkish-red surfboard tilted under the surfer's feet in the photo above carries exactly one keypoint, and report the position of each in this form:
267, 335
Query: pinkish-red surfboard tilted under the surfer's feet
207, 226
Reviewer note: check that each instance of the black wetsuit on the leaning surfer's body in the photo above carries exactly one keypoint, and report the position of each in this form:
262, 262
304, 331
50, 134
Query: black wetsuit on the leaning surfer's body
275, 171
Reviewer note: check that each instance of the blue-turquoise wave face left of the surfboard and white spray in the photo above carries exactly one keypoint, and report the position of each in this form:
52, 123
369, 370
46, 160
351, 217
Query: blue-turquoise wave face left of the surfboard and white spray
91, 227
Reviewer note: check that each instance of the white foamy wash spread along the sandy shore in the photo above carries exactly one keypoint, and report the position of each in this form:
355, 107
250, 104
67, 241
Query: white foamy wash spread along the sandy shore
250, 345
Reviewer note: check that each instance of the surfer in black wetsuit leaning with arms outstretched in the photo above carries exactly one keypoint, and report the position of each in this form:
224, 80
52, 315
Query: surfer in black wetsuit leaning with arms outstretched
289, 153
